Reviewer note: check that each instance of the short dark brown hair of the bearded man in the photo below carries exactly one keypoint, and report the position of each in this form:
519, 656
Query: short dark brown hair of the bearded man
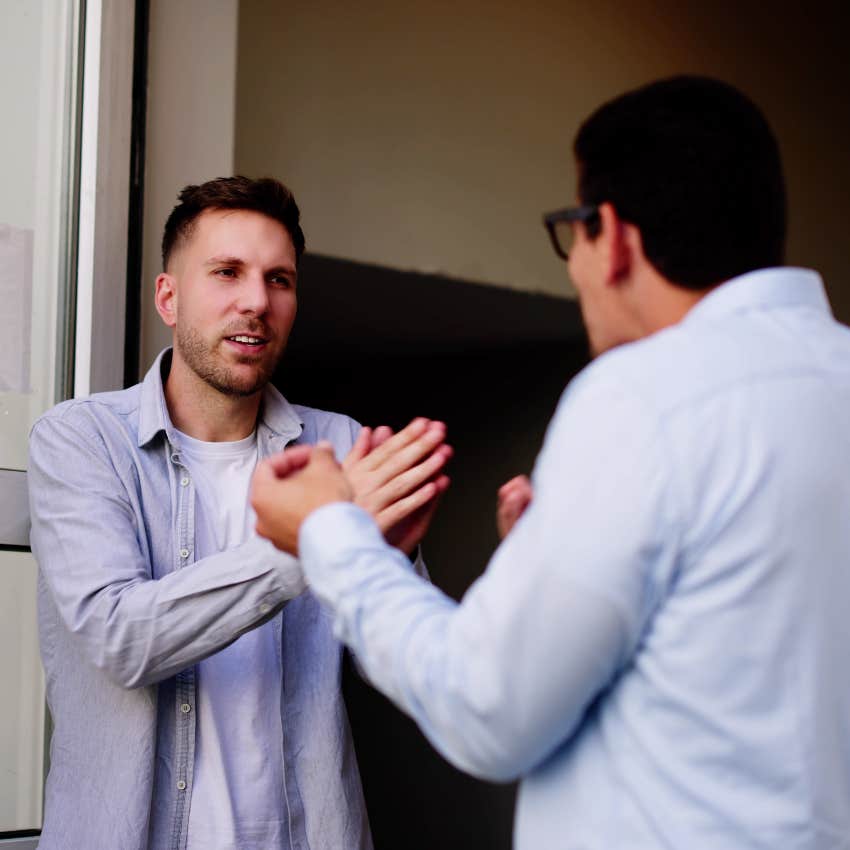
264, 195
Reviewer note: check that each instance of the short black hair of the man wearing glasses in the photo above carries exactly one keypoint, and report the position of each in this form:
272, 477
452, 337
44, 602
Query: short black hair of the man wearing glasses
694, 165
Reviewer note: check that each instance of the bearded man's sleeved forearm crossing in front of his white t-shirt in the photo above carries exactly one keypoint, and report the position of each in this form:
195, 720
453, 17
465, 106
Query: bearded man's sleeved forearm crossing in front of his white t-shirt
141, 630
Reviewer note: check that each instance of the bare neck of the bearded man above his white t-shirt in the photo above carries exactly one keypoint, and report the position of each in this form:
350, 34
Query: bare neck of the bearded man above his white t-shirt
205, 413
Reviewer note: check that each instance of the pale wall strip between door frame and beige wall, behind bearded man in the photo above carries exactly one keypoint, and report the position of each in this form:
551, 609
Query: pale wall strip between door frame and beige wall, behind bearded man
190, 123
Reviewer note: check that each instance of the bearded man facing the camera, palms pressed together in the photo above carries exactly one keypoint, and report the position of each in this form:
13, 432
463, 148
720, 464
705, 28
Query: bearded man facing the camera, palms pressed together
193, 685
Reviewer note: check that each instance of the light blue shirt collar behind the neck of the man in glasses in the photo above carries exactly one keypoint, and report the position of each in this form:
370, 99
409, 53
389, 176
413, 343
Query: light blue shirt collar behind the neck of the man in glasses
773, 287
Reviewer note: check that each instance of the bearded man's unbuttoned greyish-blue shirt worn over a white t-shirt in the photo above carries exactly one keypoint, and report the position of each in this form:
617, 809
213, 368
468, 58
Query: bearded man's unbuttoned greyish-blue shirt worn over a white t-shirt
126, 611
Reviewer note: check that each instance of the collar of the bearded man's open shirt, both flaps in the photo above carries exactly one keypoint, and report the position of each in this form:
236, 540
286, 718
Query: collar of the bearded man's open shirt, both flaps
276, 413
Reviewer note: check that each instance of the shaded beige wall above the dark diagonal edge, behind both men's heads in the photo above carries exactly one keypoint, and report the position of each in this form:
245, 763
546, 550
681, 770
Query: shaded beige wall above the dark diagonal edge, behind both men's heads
433, 135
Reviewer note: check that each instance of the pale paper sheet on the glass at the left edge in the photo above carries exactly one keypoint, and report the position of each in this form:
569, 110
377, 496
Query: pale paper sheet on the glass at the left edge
15, 308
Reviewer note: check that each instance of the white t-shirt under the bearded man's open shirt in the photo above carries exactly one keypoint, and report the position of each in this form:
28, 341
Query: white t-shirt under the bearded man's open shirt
237, 790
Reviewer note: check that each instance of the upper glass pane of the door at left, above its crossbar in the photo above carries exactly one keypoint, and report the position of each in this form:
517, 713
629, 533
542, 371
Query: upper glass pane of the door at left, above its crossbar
39, 55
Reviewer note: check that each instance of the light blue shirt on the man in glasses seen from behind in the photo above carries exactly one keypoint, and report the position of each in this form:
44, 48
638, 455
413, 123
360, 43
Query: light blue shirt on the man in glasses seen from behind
660, 646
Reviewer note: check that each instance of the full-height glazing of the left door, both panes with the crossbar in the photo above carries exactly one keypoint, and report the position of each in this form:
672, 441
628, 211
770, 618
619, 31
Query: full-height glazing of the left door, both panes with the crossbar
40, 47
